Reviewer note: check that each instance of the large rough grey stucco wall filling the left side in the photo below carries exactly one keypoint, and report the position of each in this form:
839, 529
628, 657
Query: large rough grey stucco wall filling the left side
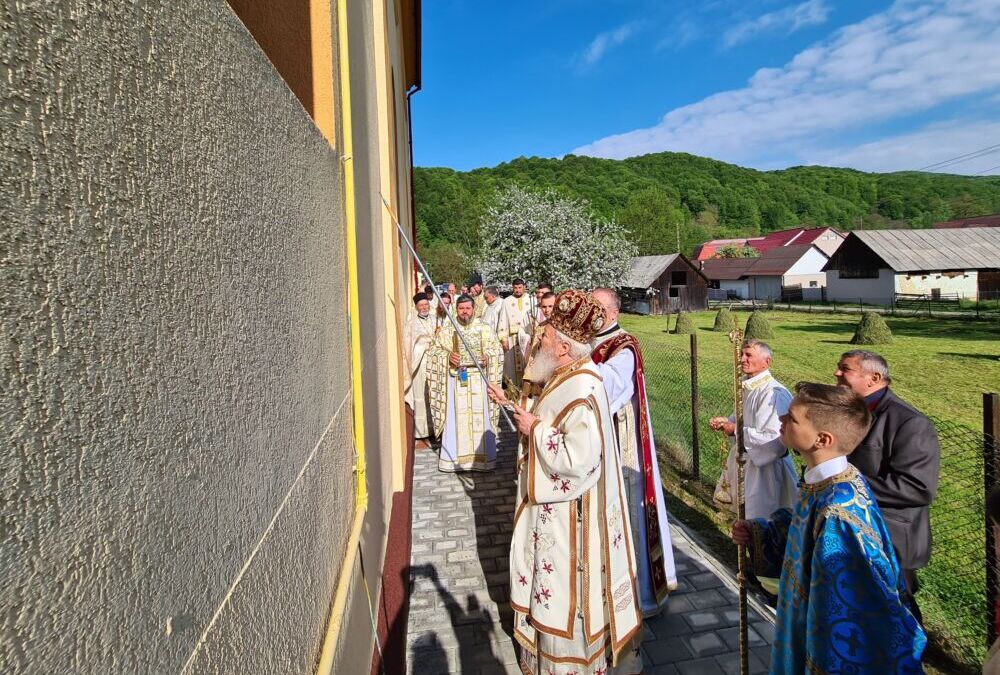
176, 483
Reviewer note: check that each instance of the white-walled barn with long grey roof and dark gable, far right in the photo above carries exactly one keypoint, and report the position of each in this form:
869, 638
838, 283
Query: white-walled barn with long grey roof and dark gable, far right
876, 266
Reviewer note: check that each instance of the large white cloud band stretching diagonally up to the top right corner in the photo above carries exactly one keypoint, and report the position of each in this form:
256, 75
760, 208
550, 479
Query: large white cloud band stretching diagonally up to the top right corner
901, 62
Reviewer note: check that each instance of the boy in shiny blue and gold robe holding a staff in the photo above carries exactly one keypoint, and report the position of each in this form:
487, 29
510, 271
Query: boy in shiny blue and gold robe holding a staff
842, 606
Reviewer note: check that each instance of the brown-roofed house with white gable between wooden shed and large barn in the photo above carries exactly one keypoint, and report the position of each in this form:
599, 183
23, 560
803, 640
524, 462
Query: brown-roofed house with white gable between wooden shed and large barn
780, 272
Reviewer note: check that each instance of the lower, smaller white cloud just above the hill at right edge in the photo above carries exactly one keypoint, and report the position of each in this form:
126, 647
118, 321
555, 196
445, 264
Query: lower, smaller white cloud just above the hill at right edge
926, 147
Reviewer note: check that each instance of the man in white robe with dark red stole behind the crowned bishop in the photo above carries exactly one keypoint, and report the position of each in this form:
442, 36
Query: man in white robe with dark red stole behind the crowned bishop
619, 360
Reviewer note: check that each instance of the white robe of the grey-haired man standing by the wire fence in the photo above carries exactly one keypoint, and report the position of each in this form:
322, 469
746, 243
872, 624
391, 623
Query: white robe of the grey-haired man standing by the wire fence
771, 482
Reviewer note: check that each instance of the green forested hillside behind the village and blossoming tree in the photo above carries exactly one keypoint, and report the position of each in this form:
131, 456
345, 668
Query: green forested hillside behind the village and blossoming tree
667, 198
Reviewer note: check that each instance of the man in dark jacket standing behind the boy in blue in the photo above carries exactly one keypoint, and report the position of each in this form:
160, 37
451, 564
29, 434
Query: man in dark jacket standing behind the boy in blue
900, 457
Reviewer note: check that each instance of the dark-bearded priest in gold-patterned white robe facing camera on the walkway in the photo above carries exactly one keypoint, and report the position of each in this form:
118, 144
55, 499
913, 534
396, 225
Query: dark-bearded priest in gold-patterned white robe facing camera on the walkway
462, 412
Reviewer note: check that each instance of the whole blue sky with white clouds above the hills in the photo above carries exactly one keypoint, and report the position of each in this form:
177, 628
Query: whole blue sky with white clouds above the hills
879, 86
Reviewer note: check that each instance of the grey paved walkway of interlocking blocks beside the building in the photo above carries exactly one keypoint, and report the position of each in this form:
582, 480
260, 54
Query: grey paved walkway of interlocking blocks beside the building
460, 621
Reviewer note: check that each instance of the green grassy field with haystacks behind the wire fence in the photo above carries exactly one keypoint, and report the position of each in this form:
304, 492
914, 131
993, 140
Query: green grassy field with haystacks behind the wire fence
941, 366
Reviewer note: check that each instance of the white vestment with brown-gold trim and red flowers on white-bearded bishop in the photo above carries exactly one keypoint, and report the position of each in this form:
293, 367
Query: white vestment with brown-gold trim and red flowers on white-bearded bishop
571, 561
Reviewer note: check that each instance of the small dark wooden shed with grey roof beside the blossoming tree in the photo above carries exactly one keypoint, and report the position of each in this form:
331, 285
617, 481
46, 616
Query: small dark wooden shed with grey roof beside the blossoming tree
660, 284
